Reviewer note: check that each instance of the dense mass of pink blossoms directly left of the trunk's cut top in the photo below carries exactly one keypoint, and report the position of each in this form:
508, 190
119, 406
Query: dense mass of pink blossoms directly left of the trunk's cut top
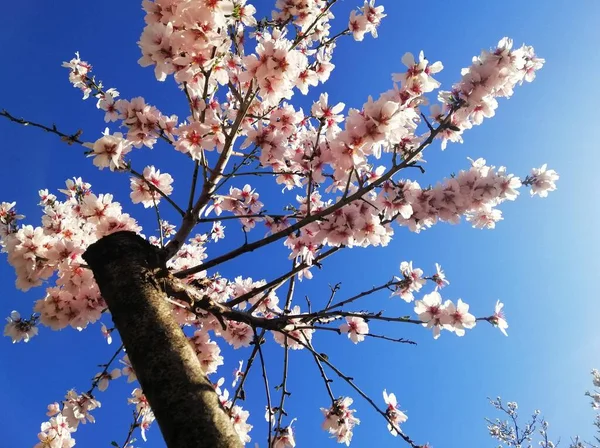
68, 227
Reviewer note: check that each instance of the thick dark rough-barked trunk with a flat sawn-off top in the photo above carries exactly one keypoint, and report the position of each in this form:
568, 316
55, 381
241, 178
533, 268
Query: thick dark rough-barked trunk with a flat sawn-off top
184, 402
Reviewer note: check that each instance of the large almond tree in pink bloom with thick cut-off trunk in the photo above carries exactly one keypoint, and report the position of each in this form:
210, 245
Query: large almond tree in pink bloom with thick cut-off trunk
351, 172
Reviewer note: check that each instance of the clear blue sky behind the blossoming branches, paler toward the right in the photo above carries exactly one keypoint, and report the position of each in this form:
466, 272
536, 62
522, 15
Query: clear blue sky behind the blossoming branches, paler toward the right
541, 261
